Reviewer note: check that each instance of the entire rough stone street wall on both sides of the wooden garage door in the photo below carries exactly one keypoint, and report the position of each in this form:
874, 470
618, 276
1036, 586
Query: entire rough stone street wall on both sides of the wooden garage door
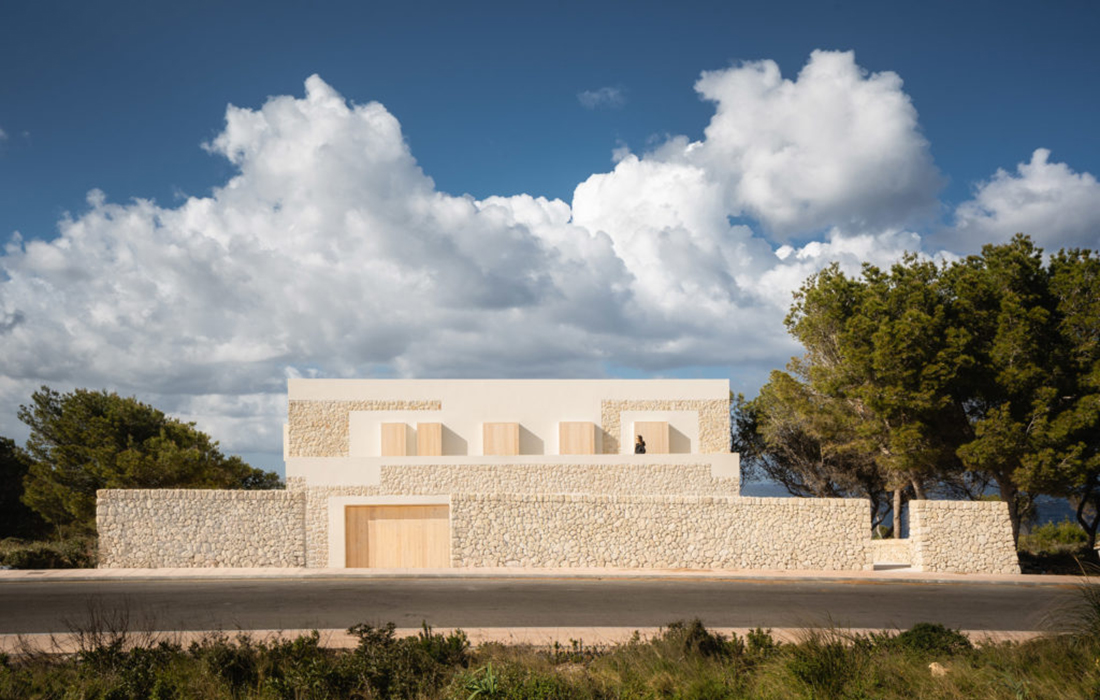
168, 529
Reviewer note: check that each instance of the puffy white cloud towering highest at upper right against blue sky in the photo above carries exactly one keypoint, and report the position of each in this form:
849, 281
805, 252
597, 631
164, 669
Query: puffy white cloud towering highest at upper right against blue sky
838, 146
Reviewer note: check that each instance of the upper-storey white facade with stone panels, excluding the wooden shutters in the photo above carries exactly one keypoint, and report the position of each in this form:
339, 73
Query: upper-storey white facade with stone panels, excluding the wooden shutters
345, 418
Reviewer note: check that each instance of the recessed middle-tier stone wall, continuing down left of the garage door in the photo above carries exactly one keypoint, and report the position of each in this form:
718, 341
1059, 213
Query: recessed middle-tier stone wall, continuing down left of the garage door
643, 478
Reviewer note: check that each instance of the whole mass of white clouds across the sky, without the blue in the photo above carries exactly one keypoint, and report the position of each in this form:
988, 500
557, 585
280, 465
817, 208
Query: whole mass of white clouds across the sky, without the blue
331, 253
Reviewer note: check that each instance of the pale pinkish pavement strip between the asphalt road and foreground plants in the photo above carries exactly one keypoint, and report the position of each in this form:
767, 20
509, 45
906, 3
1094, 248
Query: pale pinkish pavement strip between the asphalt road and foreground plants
17, 644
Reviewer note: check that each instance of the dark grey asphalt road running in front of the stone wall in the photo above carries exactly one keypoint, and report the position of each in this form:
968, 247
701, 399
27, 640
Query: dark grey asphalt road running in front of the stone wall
294, 605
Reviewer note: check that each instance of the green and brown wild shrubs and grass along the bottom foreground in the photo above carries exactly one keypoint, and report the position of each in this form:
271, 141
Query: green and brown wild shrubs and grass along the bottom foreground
686, 661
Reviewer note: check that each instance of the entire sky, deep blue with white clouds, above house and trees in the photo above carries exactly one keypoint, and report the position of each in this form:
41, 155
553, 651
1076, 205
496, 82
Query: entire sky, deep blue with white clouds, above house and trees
628, 215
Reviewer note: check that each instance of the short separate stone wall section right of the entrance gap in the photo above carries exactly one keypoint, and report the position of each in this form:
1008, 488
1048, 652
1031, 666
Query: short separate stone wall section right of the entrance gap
962, 538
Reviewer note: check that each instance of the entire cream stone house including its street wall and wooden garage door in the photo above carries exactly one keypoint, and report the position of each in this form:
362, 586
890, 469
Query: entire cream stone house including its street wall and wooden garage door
537, 474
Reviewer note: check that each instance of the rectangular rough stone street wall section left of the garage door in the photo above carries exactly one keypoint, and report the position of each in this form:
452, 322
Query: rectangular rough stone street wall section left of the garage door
208, 528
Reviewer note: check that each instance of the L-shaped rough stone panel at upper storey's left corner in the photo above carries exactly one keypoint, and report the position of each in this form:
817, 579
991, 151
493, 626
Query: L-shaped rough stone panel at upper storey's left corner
320, 429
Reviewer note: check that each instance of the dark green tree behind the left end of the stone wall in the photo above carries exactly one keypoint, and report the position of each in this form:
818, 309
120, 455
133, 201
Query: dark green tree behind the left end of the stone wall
85, 441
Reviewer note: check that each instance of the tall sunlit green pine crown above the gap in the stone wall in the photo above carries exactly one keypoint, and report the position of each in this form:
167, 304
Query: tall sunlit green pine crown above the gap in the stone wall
889, 353
